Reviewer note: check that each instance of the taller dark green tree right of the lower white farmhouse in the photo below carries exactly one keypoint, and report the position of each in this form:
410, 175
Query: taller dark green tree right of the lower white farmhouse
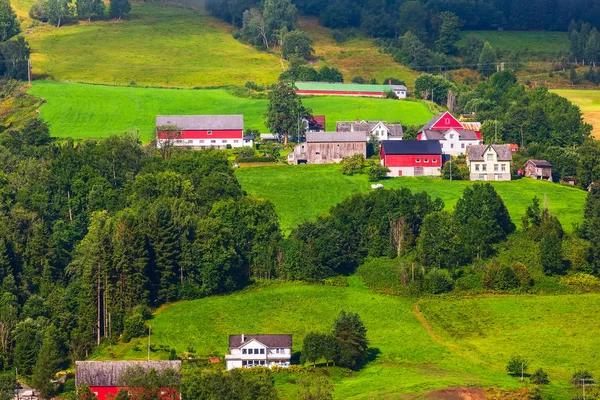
351, 334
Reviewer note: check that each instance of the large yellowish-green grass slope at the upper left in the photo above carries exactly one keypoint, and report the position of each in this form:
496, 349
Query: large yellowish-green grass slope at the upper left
160, 46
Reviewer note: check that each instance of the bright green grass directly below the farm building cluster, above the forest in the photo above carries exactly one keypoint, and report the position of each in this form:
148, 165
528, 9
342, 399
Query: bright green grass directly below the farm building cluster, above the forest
305, 191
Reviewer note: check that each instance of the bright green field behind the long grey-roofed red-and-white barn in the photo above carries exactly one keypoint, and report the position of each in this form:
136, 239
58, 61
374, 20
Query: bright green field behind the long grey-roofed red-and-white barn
96, 111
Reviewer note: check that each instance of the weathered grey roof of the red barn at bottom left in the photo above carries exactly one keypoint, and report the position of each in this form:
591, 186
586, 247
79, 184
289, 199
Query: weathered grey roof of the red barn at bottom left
108, 373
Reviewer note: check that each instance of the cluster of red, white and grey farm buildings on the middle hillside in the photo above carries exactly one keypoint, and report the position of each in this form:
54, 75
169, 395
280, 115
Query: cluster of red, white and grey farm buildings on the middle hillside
440, 139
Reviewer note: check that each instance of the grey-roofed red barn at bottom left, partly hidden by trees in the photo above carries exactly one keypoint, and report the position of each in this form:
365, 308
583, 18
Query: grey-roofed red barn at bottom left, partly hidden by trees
103, 376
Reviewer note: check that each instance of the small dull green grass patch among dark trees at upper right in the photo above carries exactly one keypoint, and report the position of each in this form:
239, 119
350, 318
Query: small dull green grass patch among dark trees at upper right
531, 44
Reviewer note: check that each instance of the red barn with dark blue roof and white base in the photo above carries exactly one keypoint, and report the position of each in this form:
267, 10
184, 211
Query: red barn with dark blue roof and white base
412, 157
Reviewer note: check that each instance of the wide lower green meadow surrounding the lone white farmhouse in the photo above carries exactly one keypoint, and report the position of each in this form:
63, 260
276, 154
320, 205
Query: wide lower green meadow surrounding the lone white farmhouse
409, 359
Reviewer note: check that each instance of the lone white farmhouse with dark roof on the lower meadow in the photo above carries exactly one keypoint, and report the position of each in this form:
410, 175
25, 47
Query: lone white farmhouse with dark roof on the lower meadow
248, 351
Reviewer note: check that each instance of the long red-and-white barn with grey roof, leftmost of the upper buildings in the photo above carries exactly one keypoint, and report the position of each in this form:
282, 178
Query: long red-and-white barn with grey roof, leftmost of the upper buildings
203, 131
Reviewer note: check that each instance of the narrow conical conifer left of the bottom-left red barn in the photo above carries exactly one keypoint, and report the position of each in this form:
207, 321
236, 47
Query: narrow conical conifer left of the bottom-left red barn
48, 362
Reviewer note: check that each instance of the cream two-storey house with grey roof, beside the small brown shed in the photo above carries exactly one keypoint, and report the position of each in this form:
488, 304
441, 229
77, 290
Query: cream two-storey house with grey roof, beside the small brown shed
489, 162
